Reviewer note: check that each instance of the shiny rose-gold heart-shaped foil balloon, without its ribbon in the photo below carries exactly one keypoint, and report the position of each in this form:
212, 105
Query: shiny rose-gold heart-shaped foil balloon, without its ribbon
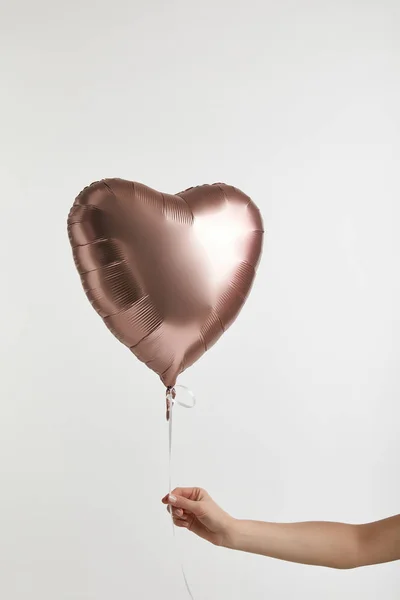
168, 274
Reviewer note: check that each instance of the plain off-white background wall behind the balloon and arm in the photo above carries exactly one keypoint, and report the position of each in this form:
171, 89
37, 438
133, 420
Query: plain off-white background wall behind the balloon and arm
295, 102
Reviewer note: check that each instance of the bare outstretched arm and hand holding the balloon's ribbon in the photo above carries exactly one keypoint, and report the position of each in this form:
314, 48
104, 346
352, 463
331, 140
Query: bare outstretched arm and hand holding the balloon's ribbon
334, 545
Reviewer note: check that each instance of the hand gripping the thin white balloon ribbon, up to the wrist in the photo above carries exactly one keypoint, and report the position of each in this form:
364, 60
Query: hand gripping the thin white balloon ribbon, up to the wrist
194, 509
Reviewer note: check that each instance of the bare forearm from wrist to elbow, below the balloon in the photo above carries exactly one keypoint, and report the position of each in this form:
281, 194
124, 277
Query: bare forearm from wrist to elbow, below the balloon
334, 545
